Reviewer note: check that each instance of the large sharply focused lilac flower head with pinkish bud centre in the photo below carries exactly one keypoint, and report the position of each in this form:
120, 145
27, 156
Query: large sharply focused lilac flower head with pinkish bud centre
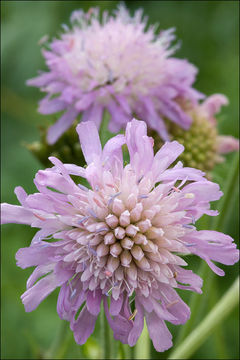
120, 239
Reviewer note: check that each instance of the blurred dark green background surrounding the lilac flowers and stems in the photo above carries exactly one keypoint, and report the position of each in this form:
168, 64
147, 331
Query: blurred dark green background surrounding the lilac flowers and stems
208, 31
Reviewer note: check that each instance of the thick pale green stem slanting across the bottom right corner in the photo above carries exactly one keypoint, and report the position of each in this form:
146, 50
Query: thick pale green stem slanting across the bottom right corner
211, 321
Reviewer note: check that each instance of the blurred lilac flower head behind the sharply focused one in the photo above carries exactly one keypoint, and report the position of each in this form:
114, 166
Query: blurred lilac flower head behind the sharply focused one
114, 63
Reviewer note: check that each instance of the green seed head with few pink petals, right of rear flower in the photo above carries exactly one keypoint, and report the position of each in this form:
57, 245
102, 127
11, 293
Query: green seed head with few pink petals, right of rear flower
203, 145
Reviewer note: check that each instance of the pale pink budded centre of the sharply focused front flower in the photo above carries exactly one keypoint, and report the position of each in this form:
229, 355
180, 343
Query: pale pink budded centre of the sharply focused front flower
121, 239
